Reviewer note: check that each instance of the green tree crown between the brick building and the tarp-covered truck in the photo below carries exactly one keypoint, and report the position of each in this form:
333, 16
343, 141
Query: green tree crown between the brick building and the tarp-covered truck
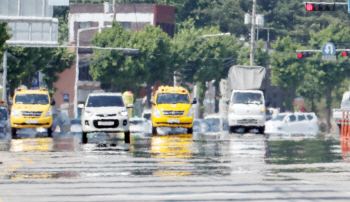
201, 58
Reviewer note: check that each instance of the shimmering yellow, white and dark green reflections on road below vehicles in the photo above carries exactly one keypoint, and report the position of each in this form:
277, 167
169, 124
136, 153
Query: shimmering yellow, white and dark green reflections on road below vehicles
178, 154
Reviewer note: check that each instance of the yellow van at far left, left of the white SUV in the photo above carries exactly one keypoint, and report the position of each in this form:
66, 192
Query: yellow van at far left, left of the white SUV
31, 109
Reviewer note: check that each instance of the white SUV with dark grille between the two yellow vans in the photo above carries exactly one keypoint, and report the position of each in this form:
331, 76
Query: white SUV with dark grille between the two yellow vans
105, 112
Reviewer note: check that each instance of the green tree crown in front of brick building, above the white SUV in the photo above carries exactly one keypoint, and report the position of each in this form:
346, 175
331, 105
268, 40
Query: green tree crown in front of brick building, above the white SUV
153, 63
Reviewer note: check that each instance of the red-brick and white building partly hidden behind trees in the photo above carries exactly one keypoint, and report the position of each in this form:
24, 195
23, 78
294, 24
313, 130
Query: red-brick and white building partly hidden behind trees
132, 17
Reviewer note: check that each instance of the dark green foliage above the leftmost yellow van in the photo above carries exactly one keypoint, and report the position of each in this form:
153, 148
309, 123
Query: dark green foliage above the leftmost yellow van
23, 63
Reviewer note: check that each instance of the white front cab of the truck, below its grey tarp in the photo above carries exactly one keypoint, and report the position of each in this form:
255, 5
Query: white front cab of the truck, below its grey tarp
247, 110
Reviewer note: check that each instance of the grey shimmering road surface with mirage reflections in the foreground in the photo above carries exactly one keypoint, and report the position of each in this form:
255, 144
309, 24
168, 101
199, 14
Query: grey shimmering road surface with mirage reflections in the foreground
198, 167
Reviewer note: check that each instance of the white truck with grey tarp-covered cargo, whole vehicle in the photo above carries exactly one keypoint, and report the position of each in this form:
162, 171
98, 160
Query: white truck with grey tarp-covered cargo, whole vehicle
245, 97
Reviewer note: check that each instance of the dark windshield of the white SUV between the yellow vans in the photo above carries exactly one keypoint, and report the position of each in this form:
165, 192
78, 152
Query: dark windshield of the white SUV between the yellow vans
105, 101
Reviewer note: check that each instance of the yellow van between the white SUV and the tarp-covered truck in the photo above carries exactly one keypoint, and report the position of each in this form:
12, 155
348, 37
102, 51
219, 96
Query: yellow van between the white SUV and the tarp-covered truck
172, 108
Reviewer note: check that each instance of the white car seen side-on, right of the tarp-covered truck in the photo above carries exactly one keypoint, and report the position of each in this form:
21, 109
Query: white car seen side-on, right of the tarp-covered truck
293, 123
